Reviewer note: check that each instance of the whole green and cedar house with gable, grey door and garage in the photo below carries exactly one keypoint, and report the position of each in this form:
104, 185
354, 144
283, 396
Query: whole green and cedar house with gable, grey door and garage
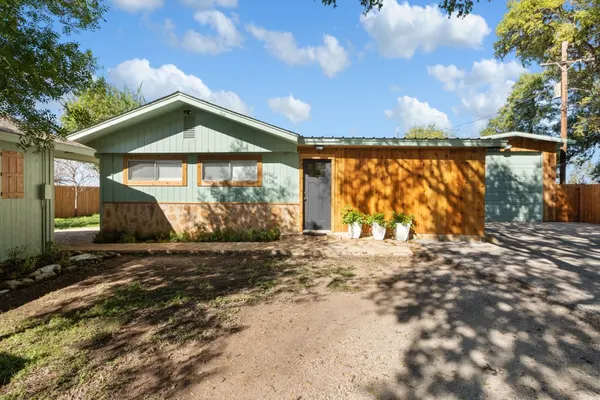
180, 162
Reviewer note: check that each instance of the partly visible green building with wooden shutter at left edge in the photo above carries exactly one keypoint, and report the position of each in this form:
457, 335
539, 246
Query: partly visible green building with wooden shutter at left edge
27, 190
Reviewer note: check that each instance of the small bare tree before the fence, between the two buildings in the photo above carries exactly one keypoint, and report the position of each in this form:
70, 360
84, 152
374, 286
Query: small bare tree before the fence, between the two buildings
82, 177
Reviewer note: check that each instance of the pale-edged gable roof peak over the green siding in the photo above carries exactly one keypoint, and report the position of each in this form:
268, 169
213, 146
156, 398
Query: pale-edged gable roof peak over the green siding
169, 103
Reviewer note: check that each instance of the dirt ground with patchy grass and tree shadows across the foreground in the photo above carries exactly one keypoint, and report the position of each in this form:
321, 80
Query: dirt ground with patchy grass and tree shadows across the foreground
294, 328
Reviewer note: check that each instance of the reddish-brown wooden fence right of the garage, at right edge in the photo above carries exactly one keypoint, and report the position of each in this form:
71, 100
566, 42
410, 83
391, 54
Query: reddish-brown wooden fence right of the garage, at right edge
578, 203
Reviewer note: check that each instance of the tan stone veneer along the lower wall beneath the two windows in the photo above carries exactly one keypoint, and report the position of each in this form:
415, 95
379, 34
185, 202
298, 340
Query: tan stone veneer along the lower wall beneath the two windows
148, 218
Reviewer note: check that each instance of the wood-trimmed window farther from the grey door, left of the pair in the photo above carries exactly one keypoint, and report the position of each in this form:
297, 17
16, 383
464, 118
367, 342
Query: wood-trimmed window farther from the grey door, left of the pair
155, 171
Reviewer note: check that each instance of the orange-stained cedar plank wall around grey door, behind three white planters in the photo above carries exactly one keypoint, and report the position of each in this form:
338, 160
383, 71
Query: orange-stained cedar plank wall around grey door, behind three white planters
443, 187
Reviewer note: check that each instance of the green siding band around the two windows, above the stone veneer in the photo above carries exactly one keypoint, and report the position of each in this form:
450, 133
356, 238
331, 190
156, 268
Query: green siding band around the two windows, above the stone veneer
280, 184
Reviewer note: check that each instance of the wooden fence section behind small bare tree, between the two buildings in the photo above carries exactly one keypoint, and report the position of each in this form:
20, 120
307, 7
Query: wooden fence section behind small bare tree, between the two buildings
64, 201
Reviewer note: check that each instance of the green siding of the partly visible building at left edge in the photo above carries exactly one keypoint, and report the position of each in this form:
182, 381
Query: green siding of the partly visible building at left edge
28, 221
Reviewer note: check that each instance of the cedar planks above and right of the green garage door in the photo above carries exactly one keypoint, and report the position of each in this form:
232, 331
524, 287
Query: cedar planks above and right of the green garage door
549, 151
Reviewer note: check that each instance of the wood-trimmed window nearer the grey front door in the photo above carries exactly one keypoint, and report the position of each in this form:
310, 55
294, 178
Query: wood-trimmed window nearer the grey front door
226, 170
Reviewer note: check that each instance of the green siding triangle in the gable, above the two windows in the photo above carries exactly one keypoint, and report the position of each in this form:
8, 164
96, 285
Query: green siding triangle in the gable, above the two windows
214, 134
